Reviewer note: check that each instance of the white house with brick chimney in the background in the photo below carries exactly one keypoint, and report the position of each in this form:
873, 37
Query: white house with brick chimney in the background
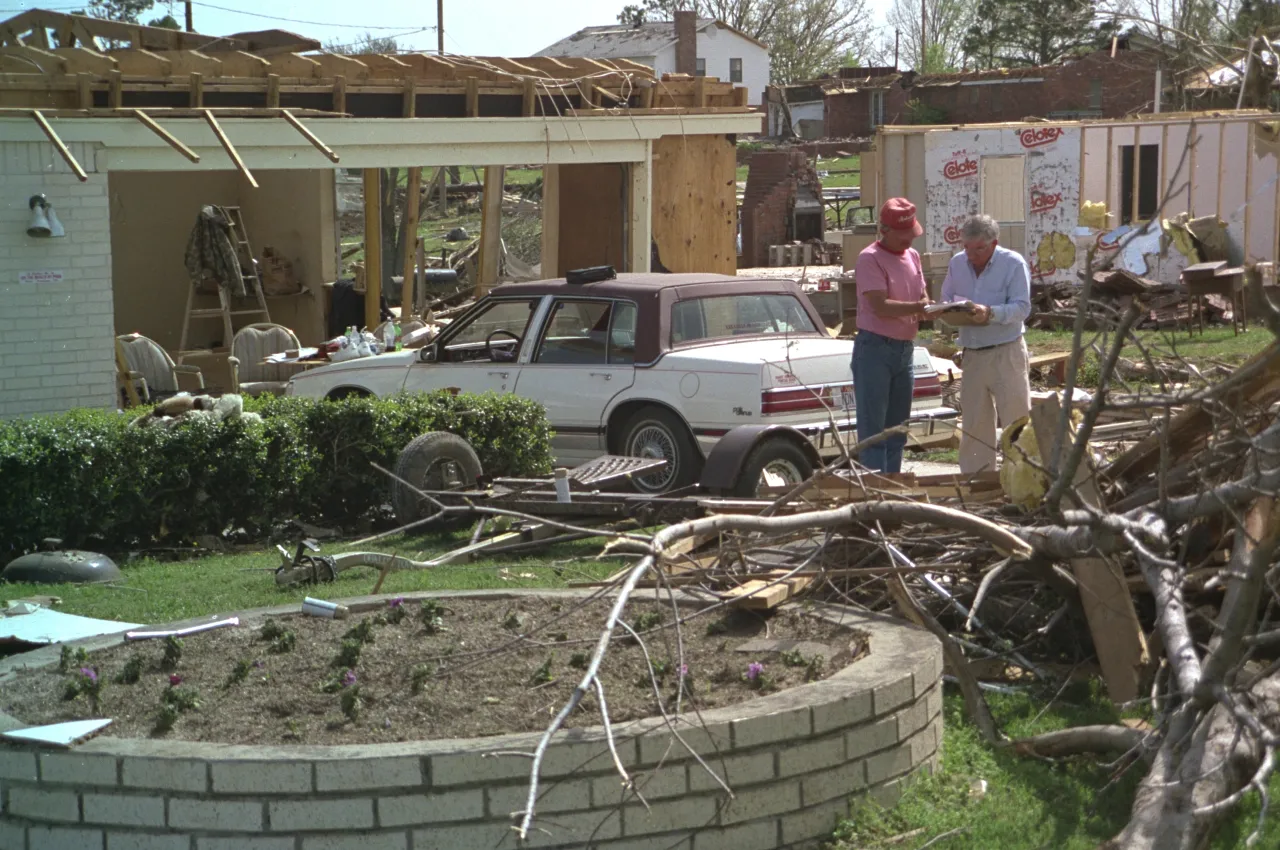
723, 52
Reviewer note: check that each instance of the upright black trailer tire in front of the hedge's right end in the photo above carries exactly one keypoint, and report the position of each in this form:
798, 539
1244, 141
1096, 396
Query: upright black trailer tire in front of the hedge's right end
435, 461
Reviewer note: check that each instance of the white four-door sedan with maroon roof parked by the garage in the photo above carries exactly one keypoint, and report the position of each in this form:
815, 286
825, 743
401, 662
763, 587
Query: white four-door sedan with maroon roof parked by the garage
650, 365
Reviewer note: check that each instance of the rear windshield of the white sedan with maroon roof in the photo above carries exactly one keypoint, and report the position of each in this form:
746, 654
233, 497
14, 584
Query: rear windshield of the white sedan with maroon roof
723, 317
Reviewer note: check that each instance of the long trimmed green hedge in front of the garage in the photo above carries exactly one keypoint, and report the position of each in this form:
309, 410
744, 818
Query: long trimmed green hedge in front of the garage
90, 479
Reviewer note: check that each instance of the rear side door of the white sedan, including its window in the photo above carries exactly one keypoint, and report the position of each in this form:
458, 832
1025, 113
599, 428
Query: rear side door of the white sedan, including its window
584, 358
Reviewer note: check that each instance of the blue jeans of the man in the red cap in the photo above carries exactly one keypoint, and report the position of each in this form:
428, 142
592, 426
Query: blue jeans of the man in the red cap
884, 382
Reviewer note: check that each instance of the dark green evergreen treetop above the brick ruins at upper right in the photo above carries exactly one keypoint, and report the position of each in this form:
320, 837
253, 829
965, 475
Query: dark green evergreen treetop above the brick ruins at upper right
1036, 33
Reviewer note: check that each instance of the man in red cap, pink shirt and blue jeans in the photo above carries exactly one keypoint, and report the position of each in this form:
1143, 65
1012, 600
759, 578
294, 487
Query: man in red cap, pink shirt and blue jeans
892, 299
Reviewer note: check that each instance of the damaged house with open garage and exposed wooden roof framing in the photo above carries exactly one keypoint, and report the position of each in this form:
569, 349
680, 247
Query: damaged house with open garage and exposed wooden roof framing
125, 134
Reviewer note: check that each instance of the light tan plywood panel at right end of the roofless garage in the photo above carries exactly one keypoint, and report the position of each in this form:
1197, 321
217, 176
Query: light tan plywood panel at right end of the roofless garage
694, 204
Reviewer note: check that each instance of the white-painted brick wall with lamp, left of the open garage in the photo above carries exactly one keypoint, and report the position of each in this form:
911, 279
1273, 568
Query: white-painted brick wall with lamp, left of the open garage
57, 350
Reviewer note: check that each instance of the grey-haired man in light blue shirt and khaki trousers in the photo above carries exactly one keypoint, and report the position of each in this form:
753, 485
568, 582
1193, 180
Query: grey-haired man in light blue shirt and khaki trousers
995, 359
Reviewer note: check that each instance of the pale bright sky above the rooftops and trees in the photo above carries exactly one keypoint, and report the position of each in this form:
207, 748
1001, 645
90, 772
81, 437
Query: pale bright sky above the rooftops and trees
472, 28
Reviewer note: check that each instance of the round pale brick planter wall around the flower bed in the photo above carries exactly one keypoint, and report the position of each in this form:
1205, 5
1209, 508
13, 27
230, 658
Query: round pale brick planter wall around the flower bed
794, 760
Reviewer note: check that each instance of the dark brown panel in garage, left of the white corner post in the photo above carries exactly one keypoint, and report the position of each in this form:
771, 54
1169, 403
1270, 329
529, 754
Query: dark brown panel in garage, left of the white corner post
593, 211
